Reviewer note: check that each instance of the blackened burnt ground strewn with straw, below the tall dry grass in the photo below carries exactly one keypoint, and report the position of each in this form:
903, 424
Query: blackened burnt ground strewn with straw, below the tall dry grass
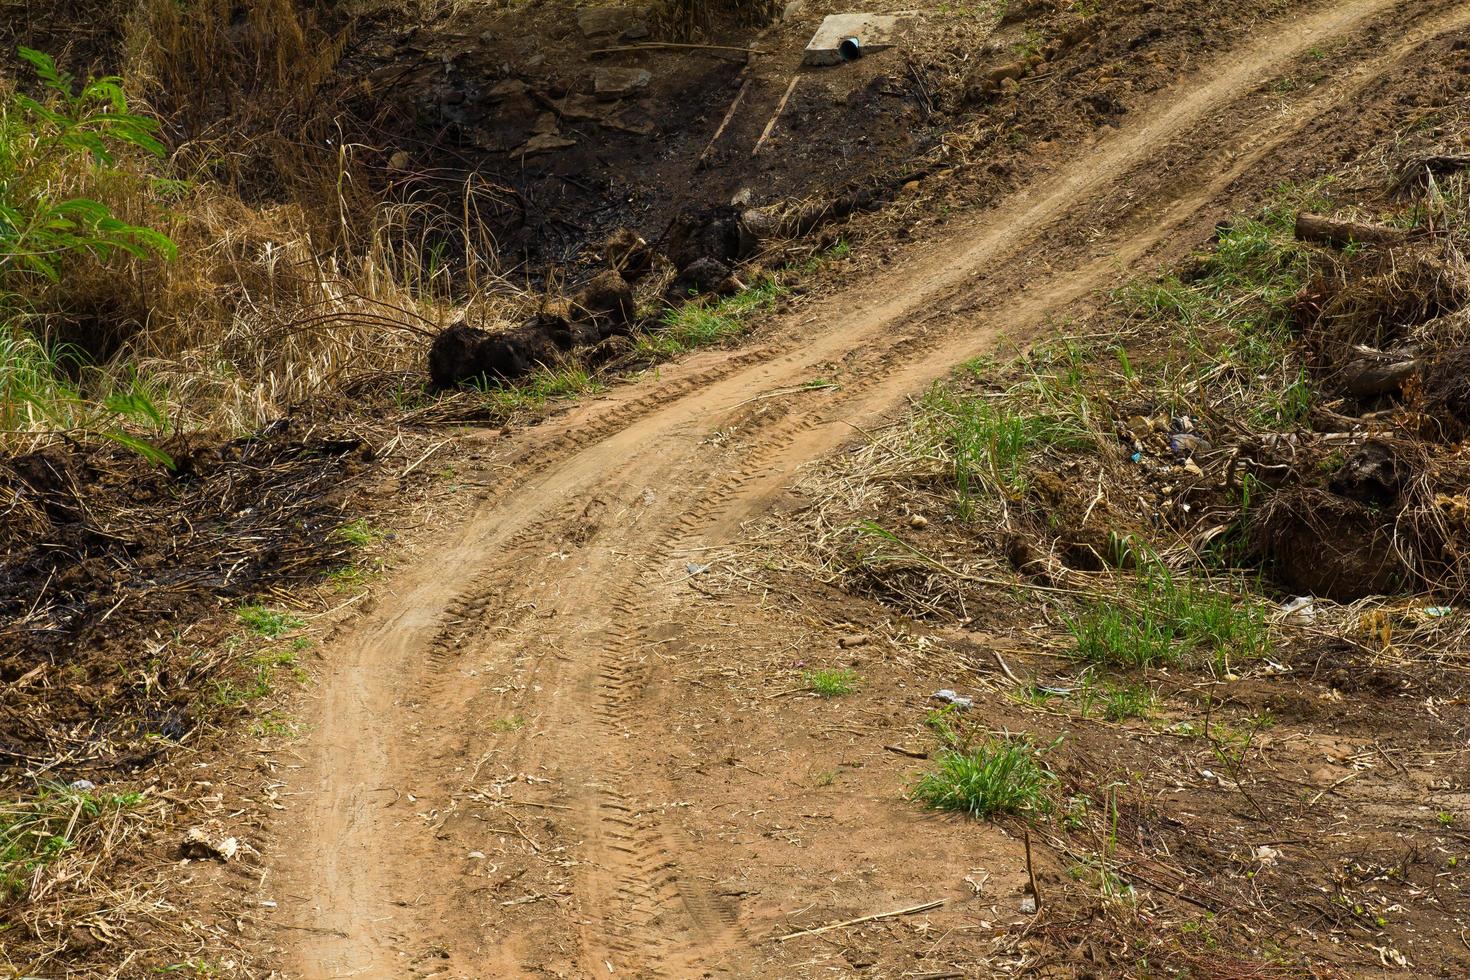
112, 563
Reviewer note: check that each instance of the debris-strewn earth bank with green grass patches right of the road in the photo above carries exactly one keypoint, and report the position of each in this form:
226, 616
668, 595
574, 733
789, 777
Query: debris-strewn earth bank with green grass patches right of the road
1234, 497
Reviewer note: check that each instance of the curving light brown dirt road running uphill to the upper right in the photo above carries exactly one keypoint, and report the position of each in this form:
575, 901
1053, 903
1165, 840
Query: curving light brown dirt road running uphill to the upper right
509, 685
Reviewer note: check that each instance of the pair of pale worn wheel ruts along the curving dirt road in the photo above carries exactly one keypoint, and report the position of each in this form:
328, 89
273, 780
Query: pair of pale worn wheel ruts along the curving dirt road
643, 909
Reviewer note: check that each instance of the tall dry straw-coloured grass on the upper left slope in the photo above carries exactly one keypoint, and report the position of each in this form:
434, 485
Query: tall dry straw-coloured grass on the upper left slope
295, 283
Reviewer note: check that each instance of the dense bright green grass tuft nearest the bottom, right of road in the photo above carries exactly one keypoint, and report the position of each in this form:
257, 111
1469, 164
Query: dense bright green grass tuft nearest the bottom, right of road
1000, 777
